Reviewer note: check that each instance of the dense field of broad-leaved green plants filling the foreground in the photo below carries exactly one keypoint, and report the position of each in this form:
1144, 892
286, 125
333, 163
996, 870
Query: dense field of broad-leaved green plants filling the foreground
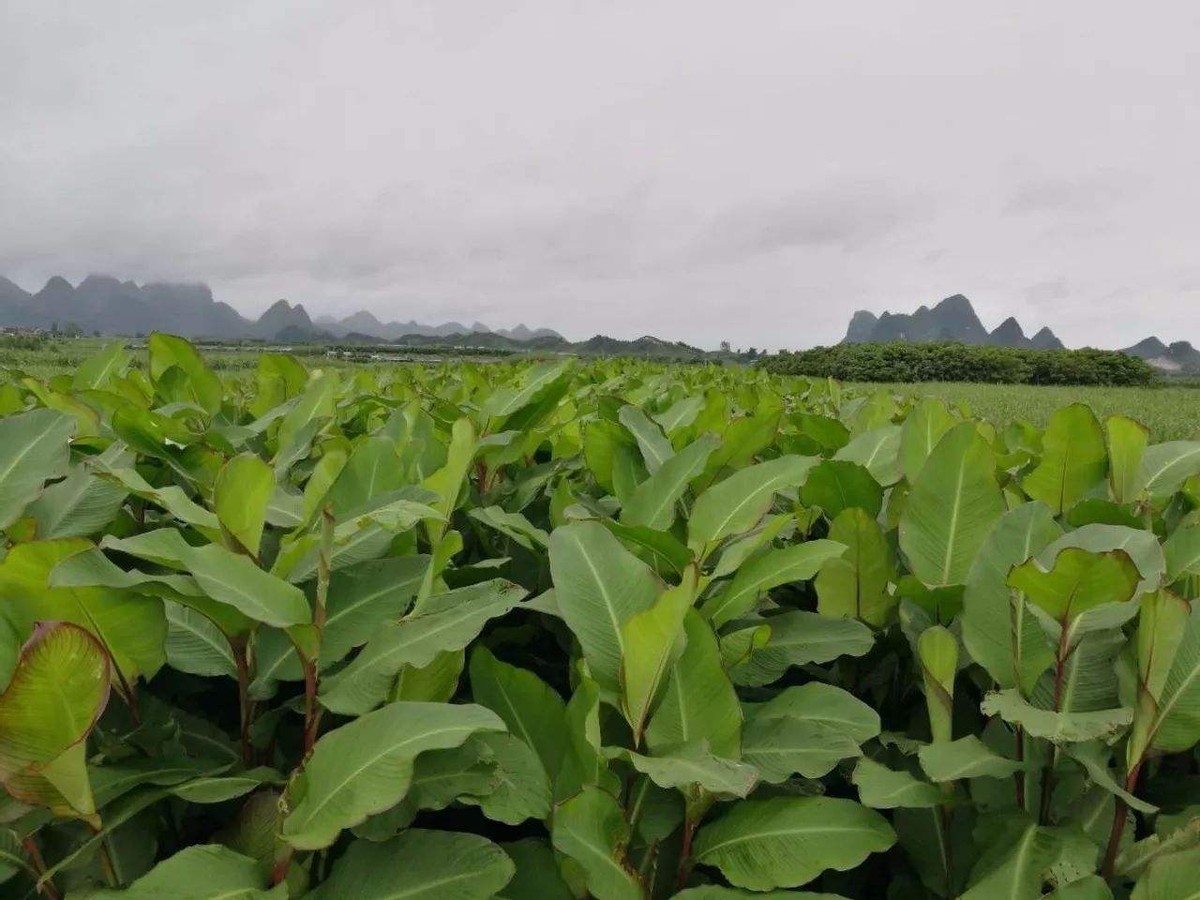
555, 631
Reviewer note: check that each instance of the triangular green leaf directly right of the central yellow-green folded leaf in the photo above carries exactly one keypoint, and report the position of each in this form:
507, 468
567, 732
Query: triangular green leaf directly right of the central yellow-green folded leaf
699, 704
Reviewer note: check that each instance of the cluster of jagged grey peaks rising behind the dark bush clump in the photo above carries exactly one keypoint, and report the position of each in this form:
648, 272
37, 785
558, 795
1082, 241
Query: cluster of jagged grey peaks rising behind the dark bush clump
953, 320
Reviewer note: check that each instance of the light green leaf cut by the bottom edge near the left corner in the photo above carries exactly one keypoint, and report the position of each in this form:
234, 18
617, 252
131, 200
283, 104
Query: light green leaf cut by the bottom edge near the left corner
207, 872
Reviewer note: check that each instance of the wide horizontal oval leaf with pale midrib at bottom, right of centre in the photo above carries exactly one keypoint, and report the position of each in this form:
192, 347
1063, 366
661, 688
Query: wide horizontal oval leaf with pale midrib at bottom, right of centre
788, 842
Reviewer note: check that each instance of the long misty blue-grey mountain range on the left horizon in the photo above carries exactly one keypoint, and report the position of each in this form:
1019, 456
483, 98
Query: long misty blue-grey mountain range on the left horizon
101, 303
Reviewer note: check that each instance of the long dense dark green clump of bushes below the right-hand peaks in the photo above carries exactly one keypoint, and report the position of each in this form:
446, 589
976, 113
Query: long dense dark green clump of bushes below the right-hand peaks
911, 363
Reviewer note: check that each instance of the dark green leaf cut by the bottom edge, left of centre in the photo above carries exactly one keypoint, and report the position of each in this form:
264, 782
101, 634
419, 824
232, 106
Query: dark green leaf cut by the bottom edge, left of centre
419, 863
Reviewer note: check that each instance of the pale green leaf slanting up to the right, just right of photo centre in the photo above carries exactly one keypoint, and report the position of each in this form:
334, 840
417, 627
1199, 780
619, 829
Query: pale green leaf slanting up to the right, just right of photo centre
737, 503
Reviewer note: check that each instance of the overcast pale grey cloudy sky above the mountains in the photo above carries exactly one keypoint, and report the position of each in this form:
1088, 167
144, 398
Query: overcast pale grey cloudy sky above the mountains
698, 170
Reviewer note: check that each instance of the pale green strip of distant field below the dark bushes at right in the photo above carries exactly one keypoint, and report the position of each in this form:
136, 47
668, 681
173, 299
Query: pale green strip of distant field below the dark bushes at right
1172, 413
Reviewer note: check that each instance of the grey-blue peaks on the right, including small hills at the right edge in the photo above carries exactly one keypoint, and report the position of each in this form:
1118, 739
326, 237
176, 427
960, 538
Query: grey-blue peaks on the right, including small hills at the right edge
955, 320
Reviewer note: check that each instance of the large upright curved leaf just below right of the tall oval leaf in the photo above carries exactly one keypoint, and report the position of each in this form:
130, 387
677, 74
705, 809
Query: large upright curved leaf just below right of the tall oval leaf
998, 631
